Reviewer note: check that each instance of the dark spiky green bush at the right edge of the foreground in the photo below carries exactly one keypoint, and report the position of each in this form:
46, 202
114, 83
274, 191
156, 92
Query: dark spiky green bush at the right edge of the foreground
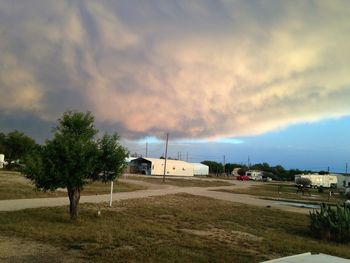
331, 224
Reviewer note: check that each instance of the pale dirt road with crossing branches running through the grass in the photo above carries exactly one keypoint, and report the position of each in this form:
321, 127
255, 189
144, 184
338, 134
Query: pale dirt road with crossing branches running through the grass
153, 190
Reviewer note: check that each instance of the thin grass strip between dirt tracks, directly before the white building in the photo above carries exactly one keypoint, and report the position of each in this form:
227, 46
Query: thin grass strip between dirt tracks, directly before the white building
182, 182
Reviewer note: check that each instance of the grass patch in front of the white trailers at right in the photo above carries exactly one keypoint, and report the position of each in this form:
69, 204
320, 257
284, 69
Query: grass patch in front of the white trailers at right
288, 192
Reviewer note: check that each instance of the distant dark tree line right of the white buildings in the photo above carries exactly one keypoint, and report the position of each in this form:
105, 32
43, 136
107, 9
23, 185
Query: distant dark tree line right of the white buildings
277, 172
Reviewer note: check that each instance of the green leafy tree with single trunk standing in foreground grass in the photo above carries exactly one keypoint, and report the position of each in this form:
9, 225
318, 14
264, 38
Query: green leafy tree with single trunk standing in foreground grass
74, 158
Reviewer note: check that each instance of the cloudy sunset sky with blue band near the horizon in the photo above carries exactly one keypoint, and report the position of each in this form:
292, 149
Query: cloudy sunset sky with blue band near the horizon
266, 79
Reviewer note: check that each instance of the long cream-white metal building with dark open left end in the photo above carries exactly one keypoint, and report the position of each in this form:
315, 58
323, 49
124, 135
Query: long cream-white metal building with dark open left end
153, 166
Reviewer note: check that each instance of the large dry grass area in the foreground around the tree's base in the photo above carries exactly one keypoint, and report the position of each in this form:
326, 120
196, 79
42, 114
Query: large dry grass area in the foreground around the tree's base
173, 228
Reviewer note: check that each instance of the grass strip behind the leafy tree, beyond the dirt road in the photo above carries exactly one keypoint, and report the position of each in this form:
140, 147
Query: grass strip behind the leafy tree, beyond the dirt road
14, 185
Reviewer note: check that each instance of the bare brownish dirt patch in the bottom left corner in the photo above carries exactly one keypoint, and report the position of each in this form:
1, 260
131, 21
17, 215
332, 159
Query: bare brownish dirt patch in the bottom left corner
14, 249
